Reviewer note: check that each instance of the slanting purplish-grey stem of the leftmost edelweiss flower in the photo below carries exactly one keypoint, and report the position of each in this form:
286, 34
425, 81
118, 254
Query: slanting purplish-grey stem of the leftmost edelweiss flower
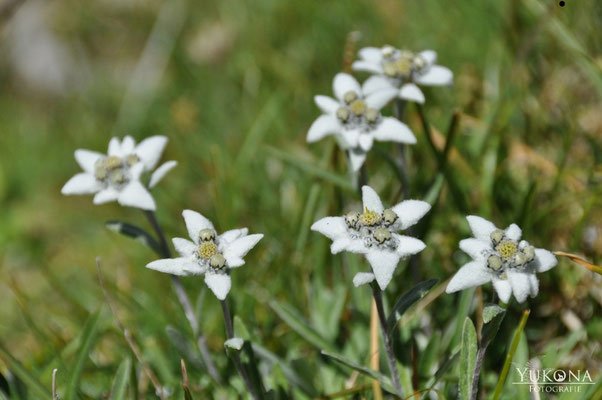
184, 300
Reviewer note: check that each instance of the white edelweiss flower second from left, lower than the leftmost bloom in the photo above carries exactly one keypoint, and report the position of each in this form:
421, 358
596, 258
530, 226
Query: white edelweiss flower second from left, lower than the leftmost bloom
208, 253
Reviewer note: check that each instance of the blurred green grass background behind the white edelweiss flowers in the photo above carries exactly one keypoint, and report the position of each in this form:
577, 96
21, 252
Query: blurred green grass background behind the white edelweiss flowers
231, 84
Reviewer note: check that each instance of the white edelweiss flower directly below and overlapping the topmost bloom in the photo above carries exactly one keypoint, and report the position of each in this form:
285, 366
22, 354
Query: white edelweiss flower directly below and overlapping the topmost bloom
356, 119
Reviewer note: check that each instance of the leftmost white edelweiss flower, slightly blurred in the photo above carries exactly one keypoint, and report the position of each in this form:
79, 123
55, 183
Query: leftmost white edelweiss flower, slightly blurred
116, 176
